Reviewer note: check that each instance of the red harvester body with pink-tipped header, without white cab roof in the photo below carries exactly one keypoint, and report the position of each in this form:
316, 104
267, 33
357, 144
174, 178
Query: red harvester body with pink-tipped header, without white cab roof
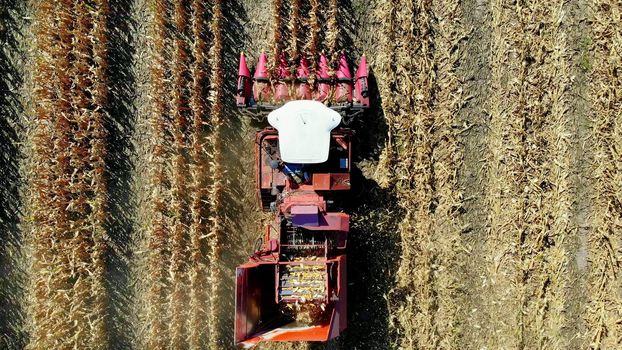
263, 284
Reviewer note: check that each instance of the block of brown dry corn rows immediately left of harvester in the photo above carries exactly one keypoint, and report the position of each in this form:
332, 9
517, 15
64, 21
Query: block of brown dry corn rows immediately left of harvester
185, 176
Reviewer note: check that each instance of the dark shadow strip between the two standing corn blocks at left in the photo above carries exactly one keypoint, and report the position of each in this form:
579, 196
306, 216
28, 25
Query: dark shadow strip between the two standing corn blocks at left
119, 168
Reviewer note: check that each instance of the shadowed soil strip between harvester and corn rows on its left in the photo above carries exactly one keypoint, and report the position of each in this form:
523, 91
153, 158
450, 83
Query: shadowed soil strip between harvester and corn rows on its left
235, 158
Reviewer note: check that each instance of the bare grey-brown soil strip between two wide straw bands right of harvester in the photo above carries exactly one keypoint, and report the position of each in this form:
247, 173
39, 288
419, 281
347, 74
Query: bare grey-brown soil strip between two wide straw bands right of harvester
474, 72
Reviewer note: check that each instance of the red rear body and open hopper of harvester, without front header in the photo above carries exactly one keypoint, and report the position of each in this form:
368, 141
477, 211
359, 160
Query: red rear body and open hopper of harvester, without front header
258, 282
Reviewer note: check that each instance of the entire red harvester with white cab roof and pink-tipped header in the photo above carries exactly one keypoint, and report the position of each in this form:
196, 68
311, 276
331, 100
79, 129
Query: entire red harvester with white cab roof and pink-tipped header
294, 286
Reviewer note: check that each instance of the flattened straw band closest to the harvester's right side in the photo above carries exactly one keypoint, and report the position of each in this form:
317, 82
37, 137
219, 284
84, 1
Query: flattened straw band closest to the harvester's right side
420, 96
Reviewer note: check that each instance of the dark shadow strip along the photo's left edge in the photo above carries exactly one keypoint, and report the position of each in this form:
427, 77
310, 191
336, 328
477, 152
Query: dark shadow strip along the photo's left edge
12, 275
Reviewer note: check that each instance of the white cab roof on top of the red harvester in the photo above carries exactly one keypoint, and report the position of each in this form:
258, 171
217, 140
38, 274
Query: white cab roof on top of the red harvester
304, 128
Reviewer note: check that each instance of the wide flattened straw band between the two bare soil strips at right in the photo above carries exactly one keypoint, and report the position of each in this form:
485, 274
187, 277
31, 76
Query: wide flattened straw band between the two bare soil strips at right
530, 191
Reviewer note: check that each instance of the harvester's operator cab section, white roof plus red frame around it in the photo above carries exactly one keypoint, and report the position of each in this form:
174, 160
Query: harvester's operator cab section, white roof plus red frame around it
304, 148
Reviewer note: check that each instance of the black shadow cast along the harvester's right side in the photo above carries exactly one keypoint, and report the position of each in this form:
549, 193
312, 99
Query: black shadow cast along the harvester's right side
374, 242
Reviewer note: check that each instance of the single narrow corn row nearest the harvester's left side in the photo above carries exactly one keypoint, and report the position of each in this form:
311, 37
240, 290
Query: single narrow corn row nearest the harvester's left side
216, 189
